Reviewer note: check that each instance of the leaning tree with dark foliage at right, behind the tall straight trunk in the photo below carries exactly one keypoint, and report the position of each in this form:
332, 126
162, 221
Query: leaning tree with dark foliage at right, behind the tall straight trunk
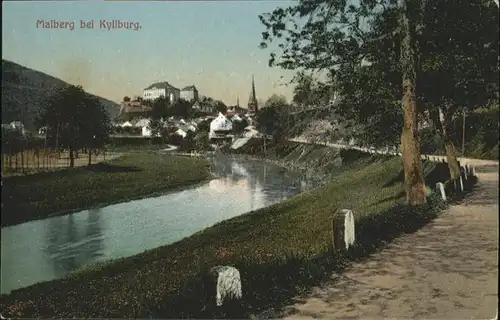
459, 64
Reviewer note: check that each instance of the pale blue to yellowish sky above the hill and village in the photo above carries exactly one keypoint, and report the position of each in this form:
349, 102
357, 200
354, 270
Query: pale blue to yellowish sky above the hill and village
211, 44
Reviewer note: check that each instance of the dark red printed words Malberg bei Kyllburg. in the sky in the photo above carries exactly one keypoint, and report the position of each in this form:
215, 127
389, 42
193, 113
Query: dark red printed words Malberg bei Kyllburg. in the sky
89, 24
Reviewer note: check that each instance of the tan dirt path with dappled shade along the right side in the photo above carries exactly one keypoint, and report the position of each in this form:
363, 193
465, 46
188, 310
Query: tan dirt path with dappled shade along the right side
446, 270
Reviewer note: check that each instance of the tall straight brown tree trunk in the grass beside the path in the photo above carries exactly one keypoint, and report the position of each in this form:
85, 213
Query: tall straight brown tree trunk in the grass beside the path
410, 145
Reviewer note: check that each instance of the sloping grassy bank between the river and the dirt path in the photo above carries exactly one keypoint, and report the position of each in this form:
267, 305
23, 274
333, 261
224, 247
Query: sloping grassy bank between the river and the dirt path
279, 251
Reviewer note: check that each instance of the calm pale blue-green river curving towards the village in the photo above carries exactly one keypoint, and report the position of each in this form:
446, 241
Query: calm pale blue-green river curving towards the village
51, 248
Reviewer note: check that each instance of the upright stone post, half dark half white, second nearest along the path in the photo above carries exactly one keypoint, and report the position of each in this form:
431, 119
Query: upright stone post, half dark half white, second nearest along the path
343, 230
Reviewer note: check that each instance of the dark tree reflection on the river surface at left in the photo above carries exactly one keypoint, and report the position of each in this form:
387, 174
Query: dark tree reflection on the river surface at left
73, 244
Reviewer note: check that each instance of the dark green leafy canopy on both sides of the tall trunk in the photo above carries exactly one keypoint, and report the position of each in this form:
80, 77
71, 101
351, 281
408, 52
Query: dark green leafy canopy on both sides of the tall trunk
358, 45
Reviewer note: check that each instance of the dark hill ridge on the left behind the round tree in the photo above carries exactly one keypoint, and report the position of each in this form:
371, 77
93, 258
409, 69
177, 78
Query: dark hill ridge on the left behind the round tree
24, 90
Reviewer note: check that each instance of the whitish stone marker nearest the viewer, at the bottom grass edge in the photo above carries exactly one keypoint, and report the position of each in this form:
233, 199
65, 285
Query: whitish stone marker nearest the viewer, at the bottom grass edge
228, 283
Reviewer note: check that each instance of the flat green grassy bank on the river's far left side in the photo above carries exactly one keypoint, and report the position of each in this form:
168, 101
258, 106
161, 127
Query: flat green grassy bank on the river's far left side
133, 176
